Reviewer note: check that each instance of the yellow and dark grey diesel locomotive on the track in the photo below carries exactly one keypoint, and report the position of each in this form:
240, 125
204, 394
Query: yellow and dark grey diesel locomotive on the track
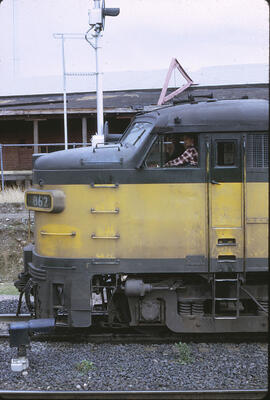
121, 239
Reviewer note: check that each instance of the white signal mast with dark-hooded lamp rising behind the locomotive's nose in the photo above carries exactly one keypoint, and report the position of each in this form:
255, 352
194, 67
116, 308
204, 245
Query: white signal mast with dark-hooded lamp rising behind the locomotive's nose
97, 16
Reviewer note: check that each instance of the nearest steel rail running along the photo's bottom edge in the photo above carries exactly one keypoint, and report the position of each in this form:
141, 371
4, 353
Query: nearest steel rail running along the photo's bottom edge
253, 394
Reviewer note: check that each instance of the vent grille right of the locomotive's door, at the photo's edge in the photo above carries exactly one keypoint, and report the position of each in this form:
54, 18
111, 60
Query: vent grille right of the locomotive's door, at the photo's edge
257, 151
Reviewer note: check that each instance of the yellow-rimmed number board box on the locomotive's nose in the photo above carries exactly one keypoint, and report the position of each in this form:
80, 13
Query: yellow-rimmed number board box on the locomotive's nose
45, 200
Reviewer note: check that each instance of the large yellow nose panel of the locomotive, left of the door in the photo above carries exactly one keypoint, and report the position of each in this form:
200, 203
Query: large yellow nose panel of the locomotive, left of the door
130, 222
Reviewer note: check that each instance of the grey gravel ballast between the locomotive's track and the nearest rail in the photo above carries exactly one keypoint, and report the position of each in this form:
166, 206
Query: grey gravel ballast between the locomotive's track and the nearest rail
89, 366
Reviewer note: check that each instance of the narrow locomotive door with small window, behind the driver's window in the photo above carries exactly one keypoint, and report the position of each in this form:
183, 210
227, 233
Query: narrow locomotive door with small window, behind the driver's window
225, 204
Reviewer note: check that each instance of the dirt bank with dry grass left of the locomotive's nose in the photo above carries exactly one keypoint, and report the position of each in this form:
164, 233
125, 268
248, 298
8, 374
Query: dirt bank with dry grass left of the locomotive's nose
14, 235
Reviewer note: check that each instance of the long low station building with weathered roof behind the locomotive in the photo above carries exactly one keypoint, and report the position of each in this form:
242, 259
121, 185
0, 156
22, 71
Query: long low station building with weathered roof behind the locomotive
34, 123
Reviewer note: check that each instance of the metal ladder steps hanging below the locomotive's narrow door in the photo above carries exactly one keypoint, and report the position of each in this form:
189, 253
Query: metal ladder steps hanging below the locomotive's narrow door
221, 293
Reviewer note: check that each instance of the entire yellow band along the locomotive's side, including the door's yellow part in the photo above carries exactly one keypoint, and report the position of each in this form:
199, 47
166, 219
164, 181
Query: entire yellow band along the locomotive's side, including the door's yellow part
150, 221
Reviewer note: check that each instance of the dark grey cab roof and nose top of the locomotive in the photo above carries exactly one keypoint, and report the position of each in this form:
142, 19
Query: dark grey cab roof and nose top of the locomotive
215, 116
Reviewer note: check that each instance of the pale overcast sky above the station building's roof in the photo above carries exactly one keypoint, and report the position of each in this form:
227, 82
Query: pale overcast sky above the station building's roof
145, 35
